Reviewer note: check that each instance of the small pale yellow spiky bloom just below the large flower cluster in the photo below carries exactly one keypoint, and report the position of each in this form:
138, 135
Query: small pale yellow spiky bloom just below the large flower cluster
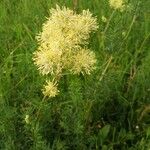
50, 89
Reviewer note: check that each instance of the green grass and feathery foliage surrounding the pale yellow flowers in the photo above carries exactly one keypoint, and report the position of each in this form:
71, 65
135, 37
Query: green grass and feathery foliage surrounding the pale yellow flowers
108, 110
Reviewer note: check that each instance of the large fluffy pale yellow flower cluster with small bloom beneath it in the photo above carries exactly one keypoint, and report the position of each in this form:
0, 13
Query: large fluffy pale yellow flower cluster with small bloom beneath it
62, 45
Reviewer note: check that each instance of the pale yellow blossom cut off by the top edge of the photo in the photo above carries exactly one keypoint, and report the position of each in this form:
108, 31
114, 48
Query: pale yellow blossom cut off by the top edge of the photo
117, 4
